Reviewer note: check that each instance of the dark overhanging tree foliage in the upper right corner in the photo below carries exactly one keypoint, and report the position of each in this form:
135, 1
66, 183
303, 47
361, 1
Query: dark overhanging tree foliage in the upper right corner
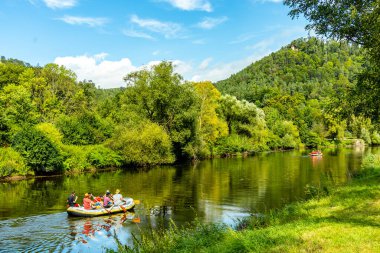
357, 22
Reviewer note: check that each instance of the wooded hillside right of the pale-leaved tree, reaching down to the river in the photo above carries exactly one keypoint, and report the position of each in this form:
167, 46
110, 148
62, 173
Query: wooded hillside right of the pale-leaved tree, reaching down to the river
308, 84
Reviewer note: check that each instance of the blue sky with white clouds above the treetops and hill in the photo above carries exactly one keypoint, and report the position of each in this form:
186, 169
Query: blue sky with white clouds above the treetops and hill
103, 40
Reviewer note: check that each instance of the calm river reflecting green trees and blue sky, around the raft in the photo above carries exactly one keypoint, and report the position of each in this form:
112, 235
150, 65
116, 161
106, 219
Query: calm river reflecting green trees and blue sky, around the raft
33, 214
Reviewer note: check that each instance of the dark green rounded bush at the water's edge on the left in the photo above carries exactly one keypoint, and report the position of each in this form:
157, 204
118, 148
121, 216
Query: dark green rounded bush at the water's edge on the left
40, 153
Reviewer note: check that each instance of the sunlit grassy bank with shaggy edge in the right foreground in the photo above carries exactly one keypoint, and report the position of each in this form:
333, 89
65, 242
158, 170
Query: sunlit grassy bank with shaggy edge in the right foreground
345, 220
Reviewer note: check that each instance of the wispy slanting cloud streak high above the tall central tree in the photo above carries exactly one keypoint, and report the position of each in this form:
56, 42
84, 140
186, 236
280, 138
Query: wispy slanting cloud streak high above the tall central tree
168, 29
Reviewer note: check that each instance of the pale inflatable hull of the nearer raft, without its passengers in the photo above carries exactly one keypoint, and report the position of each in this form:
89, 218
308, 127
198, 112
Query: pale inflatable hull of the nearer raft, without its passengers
81, 212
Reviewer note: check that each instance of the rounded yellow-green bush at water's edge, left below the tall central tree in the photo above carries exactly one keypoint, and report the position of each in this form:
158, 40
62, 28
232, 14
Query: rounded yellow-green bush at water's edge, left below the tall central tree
145, 144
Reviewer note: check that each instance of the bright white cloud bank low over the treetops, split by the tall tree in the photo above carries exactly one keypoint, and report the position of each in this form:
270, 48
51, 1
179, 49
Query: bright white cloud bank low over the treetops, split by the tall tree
109, 74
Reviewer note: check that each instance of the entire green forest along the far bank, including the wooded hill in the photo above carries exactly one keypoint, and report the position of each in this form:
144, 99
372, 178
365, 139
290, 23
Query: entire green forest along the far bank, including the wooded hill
301, 95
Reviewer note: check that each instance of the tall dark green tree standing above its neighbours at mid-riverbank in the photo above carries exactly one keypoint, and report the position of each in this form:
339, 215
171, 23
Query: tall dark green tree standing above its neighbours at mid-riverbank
160, 96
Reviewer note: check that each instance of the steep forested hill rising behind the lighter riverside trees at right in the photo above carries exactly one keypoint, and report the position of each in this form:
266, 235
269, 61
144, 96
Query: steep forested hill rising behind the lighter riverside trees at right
310, 67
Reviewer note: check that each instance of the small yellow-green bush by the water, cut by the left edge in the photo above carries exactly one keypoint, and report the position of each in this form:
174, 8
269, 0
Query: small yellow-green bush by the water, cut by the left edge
12, 163
